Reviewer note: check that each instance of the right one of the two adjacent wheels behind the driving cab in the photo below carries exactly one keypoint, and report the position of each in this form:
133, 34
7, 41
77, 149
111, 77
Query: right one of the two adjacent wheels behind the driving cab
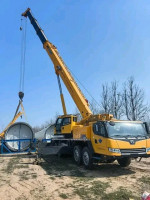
87, 158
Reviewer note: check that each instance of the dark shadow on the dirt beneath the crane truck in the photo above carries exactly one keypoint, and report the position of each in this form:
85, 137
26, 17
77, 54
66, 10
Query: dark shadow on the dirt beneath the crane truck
65, 166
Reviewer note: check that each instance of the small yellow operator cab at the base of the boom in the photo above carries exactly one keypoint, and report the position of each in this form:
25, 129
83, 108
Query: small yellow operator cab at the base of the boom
64, 125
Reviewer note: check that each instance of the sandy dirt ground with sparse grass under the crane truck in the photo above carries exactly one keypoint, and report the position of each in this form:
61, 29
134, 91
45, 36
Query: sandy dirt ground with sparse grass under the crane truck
59, 178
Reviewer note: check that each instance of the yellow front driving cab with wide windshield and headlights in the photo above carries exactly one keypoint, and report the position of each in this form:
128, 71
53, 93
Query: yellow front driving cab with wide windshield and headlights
120, 138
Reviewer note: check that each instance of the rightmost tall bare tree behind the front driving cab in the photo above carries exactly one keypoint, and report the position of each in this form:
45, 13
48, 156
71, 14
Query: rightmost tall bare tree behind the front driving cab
133, 101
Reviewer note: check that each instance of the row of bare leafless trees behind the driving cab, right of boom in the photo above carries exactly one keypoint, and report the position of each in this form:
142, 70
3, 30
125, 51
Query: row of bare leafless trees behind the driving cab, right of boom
127, 102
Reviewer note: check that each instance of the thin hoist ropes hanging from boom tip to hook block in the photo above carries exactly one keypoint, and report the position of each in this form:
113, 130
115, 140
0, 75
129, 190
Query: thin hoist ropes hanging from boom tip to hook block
23, 28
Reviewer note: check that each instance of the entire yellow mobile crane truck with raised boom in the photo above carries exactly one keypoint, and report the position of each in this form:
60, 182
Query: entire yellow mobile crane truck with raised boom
96, 137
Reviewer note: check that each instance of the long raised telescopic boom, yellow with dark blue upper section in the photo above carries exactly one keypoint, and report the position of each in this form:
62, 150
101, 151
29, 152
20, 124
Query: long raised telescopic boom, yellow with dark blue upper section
60, 68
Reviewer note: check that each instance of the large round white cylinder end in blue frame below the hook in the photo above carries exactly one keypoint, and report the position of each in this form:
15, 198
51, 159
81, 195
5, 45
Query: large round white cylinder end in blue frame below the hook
19, 131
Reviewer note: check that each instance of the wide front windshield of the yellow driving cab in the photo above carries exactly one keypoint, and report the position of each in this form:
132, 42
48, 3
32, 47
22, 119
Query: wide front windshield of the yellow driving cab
124, 129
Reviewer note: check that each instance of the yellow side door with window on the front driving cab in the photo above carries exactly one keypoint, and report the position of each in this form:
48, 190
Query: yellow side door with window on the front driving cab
99, 138
